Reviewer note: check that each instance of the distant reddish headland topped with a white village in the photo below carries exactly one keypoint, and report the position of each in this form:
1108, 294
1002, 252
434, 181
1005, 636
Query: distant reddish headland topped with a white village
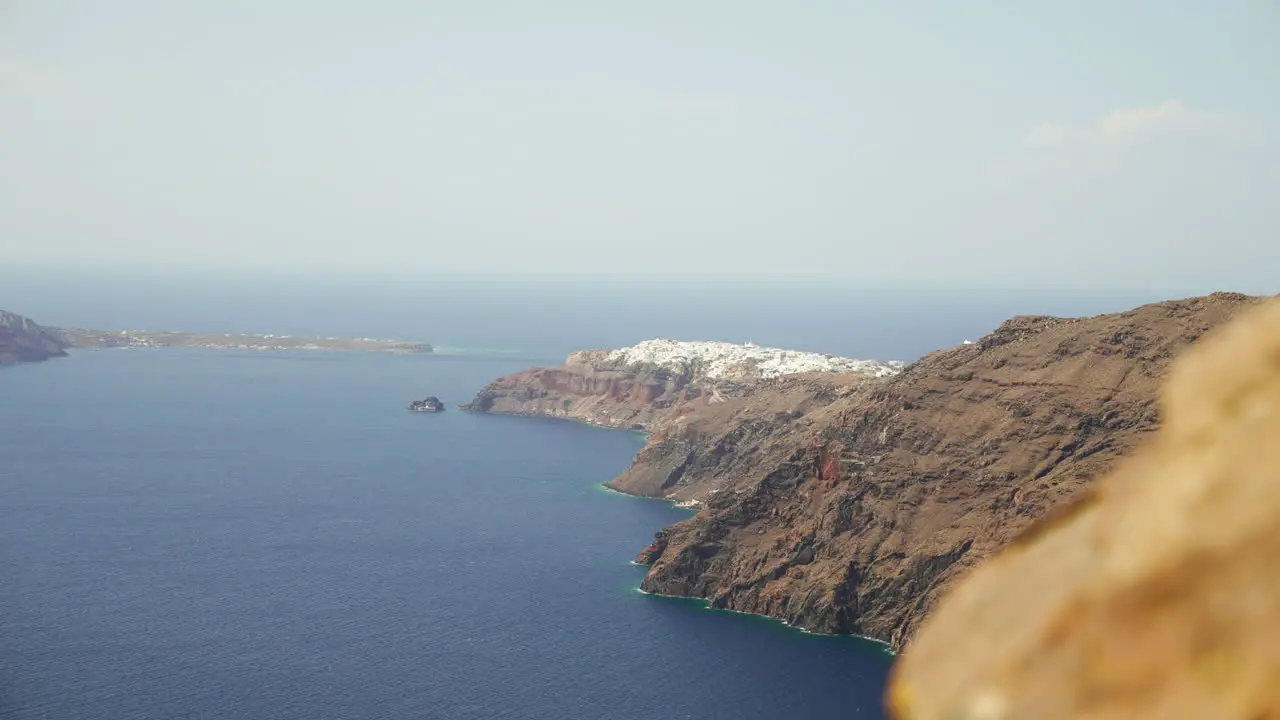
653, 384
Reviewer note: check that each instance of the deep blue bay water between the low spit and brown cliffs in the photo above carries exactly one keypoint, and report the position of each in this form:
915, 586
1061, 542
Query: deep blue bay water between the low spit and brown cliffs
272, 536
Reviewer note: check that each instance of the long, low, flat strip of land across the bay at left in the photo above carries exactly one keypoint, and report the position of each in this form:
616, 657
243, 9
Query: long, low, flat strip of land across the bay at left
99, 340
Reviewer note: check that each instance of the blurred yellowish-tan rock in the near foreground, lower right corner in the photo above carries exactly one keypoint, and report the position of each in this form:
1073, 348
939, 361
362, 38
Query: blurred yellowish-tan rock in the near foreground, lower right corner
1158, 595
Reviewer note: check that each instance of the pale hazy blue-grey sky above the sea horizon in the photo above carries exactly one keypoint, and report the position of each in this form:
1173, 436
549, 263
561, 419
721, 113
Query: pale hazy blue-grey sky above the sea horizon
985, 144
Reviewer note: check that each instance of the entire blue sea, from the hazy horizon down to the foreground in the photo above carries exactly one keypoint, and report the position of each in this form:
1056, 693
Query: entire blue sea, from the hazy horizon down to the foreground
239, 535
